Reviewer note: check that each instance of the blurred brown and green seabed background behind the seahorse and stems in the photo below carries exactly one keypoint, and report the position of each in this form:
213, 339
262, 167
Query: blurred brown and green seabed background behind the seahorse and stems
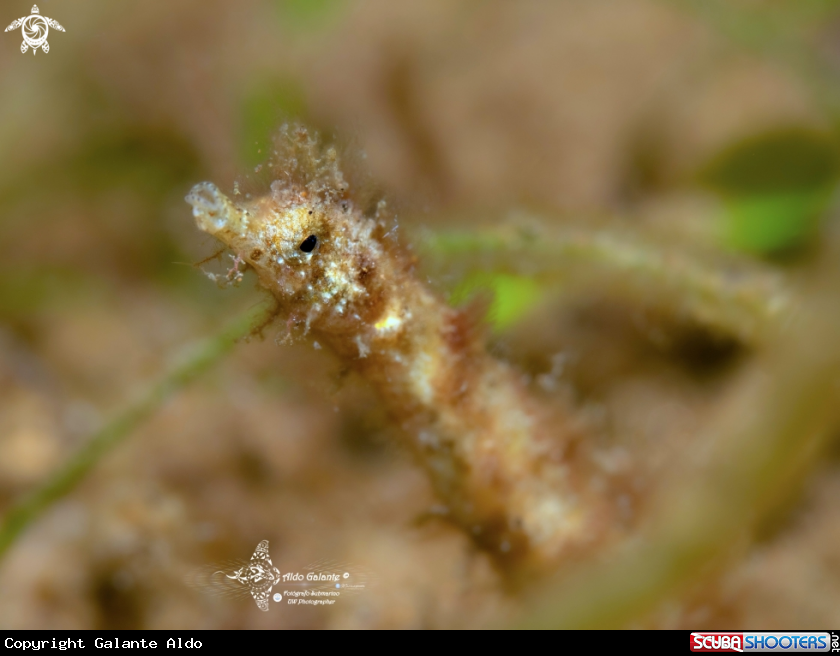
716, 124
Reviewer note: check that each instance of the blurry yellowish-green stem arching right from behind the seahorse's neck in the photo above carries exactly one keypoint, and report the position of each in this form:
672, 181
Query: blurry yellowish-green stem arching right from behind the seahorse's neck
735, 297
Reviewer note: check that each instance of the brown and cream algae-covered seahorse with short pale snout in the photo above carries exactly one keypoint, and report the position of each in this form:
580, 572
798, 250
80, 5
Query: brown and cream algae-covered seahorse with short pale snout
498, 459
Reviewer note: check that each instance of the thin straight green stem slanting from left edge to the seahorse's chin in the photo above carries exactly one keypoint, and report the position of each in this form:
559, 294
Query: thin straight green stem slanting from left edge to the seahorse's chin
196, 360
